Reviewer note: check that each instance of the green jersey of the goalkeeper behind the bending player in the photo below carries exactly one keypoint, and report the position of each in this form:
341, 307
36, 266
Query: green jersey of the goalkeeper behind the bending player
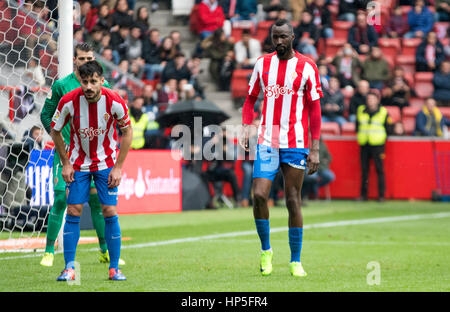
59, 89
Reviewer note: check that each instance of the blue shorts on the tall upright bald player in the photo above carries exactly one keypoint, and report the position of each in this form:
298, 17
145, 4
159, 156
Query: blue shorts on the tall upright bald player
268, 159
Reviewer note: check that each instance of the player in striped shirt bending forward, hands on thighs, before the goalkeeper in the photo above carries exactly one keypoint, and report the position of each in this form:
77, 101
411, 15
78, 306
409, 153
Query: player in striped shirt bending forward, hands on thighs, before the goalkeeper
93, 113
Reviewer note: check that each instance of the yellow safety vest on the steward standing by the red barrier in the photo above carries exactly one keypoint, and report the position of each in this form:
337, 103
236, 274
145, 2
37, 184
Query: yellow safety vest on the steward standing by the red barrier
371, 130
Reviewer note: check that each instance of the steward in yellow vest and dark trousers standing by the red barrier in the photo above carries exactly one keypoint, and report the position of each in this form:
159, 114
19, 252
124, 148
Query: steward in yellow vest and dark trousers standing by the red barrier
372, 124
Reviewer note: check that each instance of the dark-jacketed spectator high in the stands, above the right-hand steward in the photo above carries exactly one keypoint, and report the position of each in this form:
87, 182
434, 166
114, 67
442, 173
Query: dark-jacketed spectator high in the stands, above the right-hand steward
361, 35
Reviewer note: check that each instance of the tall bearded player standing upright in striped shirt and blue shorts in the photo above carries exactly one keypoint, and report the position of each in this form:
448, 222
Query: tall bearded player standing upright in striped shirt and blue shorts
291, 109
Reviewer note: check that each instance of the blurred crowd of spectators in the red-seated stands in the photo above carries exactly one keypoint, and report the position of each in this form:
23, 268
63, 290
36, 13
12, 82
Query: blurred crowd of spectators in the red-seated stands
399, 50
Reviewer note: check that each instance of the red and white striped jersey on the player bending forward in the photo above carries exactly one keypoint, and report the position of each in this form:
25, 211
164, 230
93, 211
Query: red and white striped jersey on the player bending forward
93, 136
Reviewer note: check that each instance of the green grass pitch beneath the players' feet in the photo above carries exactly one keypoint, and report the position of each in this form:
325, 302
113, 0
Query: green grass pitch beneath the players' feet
218, 251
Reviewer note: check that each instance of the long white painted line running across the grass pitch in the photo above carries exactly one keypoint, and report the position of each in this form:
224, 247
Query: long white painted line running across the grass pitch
273, 230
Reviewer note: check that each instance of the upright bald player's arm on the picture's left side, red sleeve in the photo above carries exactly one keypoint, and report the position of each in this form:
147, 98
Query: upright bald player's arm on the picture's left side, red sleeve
254, 87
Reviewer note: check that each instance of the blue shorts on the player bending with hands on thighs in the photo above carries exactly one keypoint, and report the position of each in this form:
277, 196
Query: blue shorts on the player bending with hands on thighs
80, 187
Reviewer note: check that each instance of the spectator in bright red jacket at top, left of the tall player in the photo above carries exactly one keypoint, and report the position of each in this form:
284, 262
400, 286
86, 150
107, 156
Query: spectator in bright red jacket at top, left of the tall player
210, 18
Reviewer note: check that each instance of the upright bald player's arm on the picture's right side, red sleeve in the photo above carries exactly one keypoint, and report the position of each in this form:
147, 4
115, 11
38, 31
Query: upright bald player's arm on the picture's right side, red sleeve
313, 94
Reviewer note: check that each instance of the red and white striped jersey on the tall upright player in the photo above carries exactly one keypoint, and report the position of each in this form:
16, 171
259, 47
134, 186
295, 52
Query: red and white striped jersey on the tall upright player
290, 88
